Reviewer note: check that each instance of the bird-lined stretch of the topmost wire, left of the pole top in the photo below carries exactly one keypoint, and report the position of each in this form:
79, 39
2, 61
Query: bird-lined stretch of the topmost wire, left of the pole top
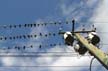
32, 25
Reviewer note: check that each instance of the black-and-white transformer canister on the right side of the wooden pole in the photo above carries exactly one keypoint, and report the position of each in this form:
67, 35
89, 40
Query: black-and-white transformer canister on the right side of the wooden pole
93, 38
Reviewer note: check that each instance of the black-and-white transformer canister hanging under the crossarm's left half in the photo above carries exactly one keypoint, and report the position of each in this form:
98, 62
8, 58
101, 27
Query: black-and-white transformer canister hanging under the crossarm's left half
69, 39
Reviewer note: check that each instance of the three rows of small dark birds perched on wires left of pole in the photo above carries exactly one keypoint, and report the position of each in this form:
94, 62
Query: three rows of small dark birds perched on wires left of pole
30, 36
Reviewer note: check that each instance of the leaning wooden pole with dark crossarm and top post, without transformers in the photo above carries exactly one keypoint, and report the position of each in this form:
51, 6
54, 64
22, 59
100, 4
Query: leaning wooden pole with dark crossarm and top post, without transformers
96, 52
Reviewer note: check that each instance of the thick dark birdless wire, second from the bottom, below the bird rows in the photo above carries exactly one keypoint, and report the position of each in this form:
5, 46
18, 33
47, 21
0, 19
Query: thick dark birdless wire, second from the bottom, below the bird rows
40, 55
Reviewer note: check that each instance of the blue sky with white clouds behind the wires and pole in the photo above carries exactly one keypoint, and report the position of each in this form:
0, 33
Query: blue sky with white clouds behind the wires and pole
15, 12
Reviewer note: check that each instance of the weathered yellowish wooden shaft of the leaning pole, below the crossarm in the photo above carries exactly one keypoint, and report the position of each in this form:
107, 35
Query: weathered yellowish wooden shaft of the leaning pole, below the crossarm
97, 53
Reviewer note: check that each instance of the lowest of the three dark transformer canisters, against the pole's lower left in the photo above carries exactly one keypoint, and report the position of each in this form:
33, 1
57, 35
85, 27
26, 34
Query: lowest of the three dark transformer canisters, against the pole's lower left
80, 48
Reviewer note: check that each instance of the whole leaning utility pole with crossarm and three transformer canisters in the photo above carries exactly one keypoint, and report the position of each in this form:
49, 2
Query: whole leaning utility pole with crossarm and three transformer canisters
85, 45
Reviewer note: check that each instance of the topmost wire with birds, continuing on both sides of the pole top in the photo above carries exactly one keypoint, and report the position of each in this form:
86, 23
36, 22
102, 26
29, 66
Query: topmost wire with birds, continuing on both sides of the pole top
41, 24
